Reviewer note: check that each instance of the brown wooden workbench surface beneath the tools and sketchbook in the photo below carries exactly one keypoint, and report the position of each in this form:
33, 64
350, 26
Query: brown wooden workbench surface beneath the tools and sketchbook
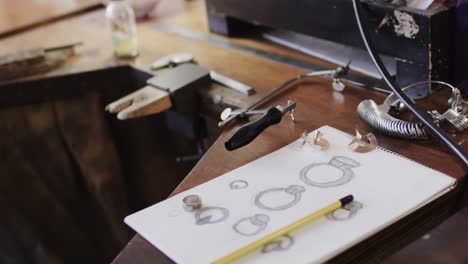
317, 104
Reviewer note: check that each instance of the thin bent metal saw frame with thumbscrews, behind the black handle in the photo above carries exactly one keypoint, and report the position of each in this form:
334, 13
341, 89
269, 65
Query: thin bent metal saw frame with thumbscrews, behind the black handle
337, 85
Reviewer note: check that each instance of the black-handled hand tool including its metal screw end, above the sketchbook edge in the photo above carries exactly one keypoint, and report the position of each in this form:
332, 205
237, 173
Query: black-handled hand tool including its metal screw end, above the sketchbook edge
248, 132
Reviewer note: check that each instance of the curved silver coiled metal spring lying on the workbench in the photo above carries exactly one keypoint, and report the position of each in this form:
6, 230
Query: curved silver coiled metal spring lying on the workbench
389, 125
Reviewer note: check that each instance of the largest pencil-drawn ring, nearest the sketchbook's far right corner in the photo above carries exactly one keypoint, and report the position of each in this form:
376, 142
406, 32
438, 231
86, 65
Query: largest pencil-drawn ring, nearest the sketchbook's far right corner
343, 165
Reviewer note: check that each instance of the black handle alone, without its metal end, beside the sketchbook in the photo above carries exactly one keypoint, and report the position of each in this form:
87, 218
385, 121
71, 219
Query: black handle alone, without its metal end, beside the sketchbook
250, 131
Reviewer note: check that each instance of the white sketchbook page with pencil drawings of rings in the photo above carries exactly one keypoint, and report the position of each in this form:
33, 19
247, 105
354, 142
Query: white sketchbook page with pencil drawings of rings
260, 197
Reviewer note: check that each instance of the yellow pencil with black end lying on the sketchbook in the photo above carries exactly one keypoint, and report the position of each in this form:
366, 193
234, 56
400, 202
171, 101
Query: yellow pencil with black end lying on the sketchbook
283, 231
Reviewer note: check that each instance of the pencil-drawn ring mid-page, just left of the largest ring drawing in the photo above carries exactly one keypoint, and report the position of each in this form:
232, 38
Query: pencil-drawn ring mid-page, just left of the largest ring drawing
279, 198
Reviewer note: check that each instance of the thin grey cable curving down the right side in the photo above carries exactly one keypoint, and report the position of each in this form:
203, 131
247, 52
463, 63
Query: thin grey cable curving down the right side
396, 89
